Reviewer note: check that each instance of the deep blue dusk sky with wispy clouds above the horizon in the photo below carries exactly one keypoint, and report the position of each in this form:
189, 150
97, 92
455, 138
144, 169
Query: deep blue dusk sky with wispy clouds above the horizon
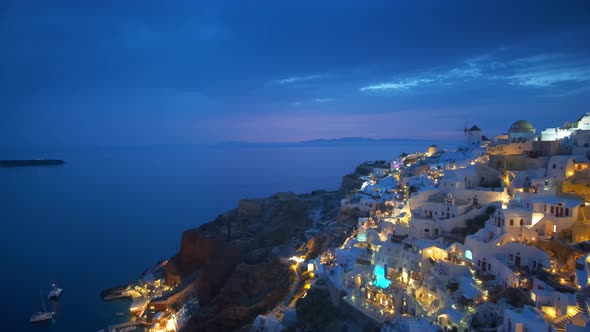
142, 72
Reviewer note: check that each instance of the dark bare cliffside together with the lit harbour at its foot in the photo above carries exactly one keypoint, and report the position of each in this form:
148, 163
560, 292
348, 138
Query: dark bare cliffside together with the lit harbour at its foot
251, 243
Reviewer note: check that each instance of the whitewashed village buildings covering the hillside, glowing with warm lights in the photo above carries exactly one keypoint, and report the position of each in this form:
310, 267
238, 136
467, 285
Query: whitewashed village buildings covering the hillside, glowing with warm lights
490, 236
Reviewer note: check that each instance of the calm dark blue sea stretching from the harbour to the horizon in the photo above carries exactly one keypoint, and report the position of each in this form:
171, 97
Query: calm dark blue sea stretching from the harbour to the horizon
108, 214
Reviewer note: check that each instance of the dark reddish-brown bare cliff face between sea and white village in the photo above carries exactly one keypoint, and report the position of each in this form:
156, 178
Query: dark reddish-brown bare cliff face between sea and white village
235, 256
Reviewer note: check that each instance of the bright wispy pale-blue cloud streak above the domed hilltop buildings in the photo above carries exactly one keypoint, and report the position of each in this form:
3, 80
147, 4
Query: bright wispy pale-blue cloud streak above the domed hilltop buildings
538, 71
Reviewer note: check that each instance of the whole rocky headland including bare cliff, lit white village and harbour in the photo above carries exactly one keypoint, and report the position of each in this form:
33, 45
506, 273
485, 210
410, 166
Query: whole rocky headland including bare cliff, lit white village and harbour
374, 252
